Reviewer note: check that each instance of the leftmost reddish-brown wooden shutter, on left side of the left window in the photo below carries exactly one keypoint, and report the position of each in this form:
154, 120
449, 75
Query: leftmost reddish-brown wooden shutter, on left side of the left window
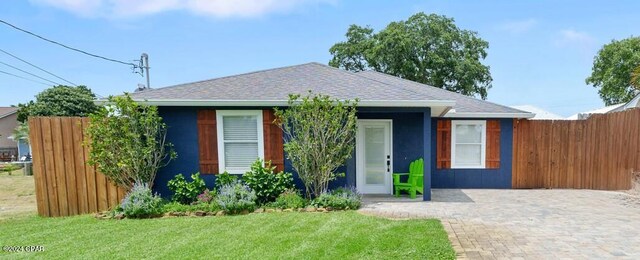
208, 141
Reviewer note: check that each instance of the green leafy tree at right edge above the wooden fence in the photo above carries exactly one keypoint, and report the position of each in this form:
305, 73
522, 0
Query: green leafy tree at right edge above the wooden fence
613, 71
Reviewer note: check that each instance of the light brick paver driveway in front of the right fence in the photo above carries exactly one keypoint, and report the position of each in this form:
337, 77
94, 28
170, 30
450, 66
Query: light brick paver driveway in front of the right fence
529, 224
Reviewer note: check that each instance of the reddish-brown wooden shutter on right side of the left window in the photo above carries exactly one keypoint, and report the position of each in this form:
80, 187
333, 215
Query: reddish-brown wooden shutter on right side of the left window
273, 142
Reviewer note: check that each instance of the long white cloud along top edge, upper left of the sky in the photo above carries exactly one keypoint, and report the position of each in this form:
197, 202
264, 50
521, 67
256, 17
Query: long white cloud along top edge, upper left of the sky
214, 8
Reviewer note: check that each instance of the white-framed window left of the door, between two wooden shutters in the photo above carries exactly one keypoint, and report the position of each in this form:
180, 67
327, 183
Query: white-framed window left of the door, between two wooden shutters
240, 139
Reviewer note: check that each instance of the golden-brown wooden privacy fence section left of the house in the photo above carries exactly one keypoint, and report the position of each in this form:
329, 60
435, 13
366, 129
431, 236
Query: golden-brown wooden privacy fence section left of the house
65, 184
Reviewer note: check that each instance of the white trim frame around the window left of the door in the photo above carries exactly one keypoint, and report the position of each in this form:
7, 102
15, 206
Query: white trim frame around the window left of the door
220, 135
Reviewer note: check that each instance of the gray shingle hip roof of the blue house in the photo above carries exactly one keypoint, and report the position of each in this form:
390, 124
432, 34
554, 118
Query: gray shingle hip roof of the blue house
278, 83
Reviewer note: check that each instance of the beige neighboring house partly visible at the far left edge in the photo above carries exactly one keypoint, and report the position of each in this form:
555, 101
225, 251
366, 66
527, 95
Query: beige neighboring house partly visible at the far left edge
8, 122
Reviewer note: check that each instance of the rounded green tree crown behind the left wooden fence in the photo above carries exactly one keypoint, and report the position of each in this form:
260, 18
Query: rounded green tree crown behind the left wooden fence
59, 101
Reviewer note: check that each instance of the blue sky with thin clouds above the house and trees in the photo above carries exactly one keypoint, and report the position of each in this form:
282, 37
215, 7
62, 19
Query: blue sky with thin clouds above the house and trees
540, 52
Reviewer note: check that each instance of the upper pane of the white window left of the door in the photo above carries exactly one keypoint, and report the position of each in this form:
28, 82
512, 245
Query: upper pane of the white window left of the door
240, 128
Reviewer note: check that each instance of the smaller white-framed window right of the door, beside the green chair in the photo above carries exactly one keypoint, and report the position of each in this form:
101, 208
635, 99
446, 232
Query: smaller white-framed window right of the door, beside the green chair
468, 143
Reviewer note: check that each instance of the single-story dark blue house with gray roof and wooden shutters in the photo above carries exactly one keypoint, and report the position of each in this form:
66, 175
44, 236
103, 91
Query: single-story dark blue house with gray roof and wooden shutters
224, 124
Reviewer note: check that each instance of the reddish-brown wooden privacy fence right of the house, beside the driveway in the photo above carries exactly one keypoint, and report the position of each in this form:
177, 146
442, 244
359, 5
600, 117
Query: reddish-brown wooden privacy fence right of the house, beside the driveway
600, 152
